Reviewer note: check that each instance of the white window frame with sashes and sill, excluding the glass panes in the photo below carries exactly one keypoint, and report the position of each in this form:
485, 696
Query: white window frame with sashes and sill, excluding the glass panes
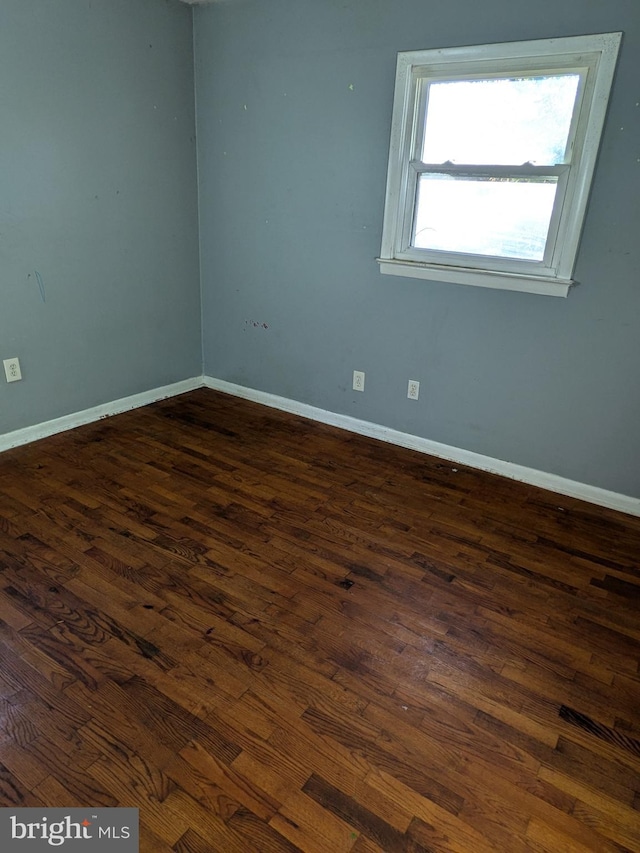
594, 57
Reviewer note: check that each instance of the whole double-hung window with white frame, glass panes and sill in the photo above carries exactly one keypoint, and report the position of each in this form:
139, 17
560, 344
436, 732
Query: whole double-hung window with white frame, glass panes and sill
491, 158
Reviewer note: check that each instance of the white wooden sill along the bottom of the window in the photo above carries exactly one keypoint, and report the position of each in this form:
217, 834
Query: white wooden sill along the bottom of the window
545, 285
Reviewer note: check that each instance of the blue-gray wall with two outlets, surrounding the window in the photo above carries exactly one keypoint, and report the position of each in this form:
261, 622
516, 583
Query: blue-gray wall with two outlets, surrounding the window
294, 106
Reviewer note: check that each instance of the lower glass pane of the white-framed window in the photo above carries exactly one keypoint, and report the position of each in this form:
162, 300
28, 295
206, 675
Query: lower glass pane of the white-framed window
506, 218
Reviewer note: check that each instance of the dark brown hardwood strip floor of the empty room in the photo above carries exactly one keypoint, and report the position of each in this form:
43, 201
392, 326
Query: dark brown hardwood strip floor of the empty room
270, 635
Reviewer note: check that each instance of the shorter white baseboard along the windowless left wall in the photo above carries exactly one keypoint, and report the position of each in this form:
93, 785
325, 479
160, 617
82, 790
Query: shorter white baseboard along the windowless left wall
47, 428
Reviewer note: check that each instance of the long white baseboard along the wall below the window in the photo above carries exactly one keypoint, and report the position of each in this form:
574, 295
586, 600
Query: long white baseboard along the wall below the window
571, 488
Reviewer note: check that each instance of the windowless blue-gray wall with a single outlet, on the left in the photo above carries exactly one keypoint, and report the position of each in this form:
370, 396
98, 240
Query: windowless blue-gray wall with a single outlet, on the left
98, 197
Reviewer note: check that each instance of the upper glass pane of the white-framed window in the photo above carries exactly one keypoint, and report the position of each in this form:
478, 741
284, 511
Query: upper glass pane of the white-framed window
500, 121
